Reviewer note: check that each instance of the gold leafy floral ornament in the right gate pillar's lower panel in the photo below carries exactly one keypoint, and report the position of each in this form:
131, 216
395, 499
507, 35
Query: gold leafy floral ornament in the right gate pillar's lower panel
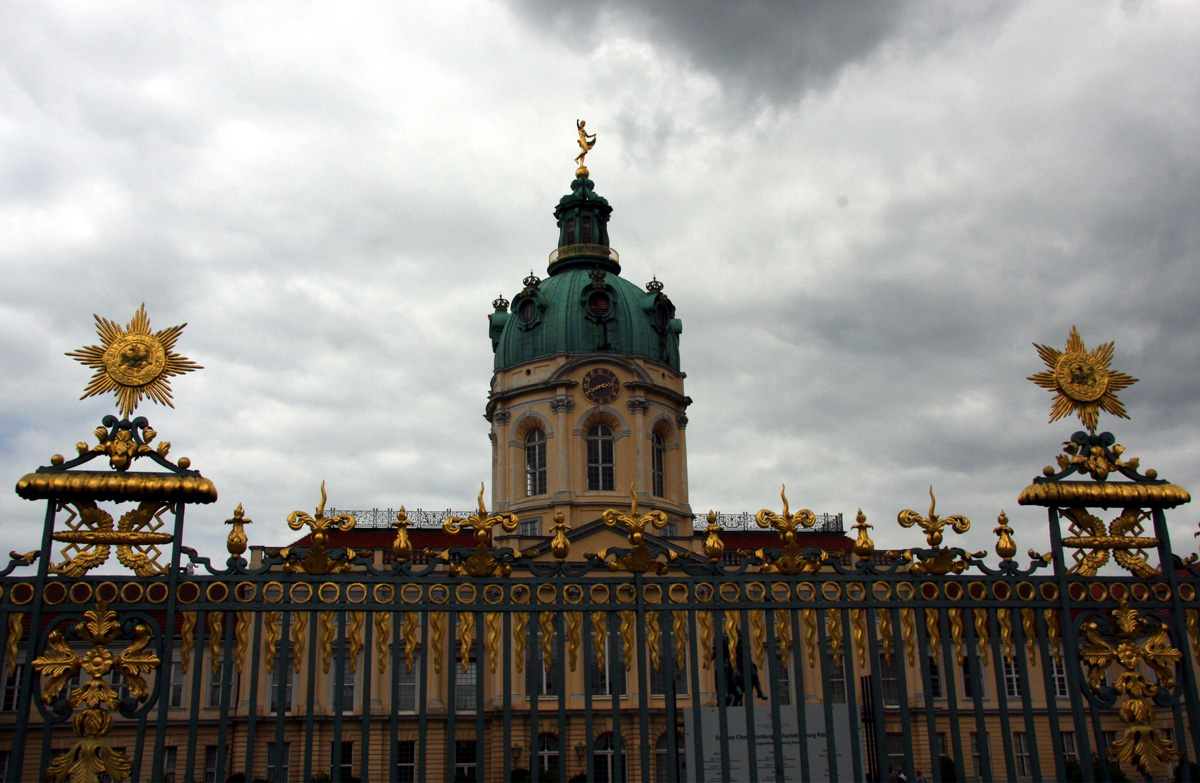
1138, 644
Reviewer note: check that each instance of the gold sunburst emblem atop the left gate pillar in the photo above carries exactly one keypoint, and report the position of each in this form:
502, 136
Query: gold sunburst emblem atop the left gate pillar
134, 362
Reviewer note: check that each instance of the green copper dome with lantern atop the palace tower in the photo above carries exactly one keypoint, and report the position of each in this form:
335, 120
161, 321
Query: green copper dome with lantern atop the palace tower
585, 307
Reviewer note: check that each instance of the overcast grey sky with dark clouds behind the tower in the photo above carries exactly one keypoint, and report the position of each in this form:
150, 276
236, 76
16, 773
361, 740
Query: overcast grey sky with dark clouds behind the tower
865, 213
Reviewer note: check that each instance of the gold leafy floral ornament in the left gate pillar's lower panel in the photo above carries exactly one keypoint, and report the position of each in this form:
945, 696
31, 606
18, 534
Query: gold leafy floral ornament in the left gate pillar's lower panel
92, 757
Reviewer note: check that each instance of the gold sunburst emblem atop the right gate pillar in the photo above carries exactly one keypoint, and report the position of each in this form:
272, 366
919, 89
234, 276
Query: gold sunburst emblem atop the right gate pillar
1083, 381
